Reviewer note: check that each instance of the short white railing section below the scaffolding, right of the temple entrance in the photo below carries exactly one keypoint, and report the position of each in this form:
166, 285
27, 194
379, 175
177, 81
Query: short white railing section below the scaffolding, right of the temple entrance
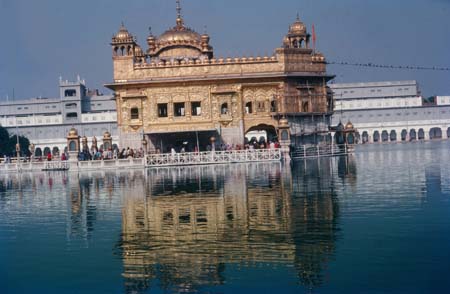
311, 151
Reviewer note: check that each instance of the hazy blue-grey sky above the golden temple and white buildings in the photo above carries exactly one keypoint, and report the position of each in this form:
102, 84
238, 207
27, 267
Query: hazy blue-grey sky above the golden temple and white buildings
45, 39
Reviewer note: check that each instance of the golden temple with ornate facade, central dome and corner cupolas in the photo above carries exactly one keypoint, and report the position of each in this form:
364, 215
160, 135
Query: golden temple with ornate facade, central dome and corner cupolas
178, 86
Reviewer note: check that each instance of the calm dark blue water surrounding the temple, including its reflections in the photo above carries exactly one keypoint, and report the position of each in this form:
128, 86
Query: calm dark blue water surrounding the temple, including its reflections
374, 222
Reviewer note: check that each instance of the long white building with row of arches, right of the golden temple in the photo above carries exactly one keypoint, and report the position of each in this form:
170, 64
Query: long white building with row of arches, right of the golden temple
391, 111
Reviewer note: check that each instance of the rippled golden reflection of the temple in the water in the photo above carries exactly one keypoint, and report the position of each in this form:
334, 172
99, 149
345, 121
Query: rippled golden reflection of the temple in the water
182, 227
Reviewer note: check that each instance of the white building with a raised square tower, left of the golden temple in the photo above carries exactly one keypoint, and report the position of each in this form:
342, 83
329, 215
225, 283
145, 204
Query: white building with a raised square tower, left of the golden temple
47, 121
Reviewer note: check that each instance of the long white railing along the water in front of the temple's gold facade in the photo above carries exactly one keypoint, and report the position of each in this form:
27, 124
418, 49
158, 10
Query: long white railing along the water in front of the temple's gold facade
213, 157
